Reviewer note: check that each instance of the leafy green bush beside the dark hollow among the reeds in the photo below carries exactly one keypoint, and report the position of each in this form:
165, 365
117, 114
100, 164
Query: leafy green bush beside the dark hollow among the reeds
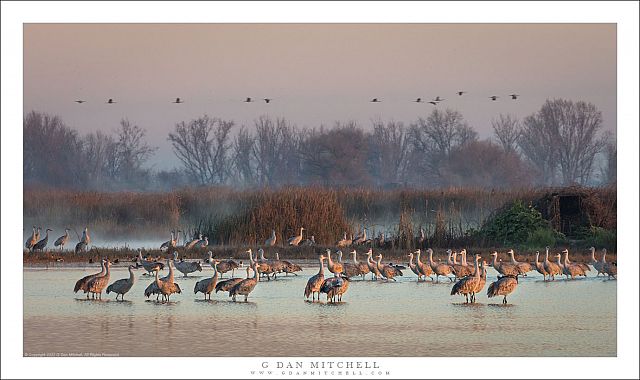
518, 224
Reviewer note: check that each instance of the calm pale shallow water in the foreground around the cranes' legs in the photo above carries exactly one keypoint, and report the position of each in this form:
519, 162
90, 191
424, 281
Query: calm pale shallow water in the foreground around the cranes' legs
561, 318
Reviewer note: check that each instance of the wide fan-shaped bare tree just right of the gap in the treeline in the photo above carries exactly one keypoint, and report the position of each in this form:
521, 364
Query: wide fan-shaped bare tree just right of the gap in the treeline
202, 146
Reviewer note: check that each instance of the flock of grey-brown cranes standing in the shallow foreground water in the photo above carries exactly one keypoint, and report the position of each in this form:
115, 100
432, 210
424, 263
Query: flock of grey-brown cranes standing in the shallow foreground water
469, 279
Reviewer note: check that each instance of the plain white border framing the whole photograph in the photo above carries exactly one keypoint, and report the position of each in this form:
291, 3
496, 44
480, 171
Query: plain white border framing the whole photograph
625, 14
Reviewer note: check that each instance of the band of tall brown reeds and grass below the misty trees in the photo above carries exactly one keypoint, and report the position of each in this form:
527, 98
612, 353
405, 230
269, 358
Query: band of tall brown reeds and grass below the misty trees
232, 217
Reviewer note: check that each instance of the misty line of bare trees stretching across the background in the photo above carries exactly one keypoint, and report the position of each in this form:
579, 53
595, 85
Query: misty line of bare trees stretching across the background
561, 144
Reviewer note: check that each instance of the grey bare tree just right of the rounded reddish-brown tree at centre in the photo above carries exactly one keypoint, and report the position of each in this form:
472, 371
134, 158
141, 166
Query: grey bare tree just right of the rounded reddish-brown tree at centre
389, 149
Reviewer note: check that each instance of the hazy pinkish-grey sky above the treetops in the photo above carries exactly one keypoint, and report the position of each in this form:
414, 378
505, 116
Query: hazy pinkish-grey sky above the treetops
315, 73
